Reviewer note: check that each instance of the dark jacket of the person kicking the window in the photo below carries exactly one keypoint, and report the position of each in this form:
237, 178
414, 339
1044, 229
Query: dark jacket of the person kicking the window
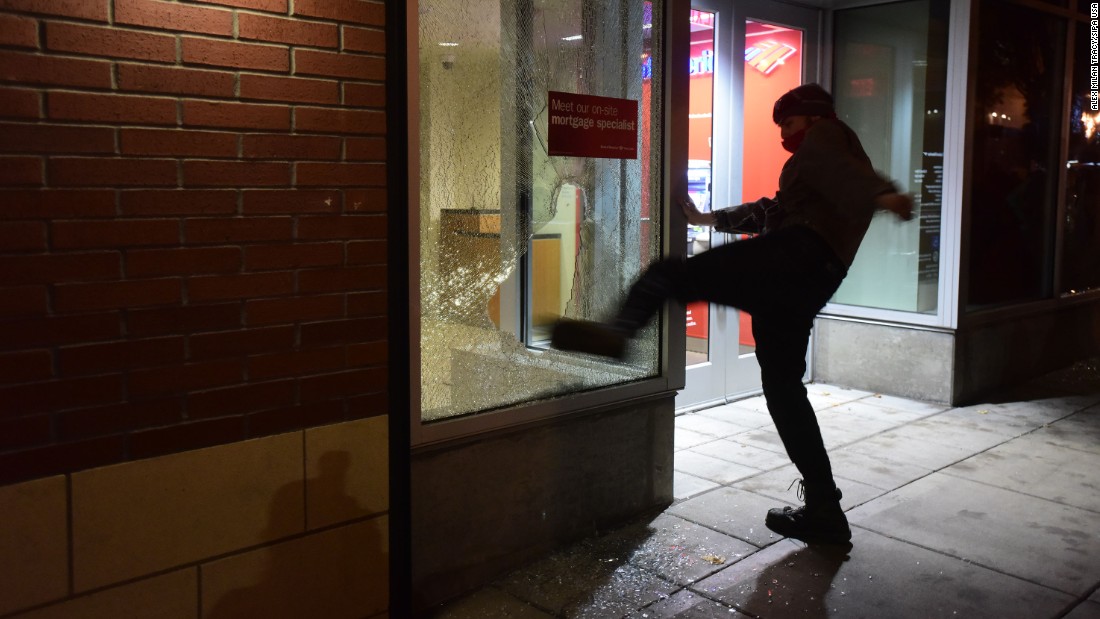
829, 185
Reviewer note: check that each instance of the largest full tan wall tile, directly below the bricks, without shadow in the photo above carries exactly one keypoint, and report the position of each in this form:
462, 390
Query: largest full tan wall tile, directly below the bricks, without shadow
144, 517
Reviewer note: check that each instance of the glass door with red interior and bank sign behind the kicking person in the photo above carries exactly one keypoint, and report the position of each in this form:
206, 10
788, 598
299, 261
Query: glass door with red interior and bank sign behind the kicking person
745, 56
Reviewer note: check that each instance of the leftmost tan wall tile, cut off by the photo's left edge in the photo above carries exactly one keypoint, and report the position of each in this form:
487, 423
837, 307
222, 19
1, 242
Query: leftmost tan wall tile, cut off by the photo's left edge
34, 544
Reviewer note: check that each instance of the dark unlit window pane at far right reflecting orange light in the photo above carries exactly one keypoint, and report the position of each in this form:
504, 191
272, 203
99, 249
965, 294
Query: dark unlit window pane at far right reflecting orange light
1017, 118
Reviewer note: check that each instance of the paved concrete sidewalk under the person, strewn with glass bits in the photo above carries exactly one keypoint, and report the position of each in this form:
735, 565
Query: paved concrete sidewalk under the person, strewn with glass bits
989, 511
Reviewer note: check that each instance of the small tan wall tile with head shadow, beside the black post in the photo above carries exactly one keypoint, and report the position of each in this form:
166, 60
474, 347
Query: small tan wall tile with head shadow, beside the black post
347, 472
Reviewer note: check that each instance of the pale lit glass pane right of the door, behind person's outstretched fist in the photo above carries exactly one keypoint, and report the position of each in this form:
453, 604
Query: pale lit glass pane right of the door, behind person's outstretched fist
890, 86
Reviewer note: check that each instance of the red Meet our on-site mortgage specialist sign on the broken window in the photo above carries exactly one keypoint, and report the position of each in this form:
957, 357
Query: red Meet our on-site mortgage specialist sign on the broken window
585, 126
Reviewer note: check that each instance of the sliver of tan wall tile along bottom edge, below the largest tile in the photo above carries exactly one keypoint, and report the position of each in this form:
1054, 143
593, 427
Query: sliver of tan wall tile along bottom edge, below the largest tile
170, 596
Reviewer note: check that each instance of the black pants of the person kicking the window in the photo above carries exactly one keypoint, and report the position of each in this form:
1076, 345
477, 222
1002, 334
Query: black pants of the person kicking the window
783, 280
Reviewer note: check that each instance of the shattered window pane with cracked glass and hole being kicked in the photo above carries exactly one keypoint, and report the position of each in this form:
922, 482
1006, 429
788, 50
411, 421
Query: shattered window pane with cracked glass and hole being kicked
512, 238
